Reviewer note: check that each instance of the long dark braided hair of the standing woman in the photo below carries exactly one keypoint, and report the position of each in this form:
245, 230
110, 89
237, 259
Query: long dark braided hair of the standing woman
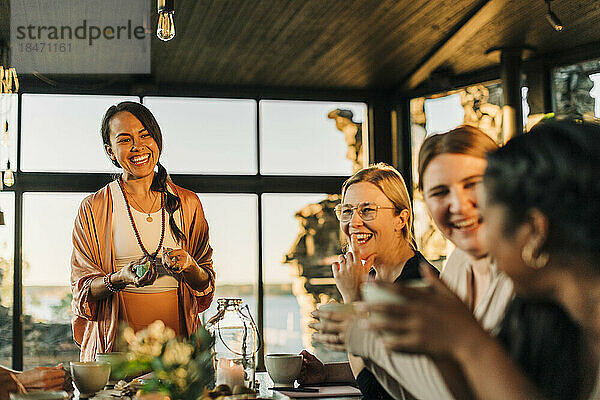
159, 183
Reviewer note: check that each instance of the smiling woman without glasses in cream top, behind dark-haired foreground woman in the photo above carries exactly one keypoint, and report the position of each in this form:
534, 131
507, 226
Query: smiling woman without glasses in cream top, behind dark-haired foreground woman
451, 167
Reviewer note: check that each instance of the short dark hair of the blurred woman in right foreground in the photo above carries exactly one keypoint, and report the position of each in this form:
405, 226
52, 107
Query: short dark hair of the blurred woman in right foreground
555, 168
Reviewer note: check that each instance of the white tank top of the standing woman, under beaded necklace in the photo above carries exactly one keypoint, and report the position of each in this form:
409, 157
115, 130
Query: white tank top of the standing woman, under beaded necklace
126, 246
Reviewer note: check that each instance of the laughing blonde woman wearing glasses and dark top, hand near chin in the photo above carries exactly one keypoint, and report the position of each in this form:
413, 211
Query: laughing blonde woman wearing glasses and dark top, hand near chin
376, 218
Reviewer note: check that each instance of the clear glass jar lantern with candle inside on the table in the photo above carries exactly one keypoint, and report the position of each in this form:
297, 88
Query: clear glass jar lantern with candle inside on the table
235, 345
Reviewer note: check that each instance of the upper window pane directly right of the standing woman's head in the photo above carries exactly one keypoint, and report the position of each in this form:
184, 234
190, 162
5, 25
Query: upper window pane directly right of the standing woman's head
207, 136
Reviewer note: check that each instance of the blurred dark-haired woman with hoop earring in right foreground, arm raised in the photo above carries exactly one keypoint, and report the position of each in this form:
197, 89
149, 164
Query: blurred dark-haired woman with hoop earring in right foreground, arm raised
541, 207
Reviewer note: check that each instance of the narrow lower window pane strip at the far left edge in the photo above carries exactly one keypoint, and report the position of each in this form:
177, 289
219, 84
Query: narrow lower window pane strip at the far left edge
7, 240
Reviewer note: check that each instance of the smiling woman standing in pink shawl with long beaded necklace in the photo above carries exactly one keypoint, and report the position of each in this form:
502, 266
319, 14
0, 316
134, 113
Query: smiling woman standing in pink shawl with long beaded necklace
140, 244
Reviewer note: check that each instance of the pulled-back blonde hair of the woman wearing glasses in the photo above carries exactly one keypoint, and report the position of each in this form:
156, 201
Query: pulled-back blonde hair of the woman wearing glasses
390, 182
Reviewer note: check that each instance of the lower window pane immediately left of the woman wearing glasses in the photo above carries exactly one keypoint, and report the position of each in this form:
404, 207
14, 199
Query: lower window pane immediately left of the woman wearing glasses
301, 240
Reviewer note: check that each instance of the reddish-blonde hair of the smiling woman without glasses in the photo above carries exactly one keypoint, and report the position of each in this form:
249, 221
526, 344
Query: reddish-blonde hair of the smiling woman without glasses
465, 139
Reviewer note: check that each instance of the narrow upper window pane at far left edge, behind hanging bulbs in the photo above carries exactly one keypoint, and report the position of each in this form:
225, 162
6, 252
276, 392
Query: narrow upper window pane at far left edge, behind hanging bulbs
9, 104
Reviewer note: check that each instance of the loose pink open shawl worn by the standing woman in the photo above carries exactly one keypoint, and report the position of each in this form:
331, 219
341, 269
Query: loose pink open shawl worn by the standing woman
95, 323
